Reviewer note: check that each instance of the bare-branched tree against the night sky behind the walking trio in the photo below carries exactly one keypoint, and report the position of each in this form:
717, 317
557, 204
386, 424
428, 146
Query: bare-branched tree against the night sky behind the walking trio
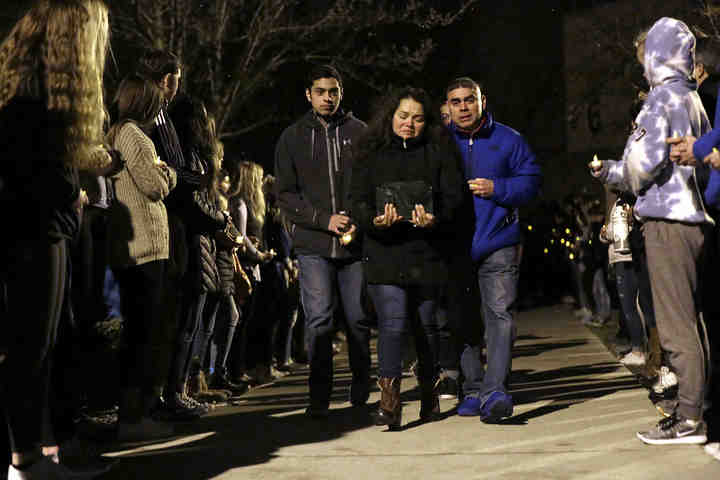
235, 50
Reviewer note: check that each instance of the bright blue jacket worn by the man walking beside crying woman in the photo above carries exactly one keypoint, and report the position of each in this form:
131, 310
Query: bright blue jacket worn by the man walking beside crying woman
498, 153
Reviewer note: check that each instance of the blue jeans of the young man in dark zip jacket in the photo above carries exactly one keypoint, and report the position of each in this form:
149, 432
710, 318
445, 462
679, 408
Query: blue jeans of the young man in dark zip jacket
320, 278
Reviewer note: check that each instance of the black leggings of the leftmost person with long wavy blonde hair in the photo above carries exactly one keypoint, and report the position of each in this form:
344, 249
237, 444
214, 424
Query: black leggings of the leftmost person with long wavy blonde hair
36, 271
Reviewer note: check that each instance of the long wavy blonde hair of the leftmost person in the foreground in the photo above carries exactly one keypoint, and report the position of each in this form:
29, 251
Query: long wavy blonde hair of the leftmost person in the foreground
56, 53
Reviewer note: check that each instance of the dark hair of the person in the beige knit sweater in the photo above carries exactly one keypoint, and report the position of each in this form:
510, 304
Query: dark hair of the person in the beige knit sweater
138, 100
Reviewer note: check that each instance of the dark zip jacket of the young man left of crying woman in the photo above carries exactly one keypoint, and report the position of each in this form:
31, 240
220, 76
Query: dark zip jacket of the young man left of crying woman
313, 166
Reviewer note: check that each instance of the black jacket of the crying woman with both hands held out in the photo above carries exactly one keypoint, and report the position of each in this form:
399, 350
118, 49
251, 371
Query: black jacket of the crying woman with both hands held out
402, 254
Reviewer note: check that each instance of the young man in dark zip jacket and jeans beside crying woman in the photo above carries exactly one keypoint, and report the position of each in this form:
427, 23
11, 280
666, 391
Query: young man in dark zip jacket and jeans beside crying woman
313, 163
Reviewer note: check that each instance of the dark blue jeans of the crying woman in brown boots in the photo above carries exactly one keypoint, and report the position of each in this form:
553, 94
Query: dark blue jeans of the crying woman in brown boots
396, 307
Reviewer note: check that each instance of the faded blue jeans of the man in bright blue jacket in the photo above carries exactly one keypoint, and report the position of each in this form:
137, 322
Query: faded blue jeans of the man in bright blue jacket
497, 278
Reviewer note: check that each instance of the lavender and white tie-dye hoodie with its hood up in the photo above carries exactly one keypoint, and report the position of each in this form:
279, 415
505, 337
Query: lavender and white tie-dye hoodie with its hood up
673, 109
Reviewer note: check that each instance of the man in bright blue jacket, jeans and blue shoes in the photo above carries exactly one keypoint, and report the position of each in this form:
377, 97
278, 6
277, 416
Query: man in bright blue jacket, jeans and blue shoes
502, 175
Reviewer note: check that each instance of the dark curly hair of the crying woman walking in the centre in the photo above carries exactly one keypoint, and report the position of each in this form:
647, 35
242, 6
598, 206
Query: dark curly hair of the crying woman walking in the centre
380, 134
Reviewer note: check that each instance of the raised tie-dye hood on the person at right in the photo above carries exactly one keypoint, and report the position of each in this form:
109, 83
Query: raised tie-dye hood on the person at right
669, 53
